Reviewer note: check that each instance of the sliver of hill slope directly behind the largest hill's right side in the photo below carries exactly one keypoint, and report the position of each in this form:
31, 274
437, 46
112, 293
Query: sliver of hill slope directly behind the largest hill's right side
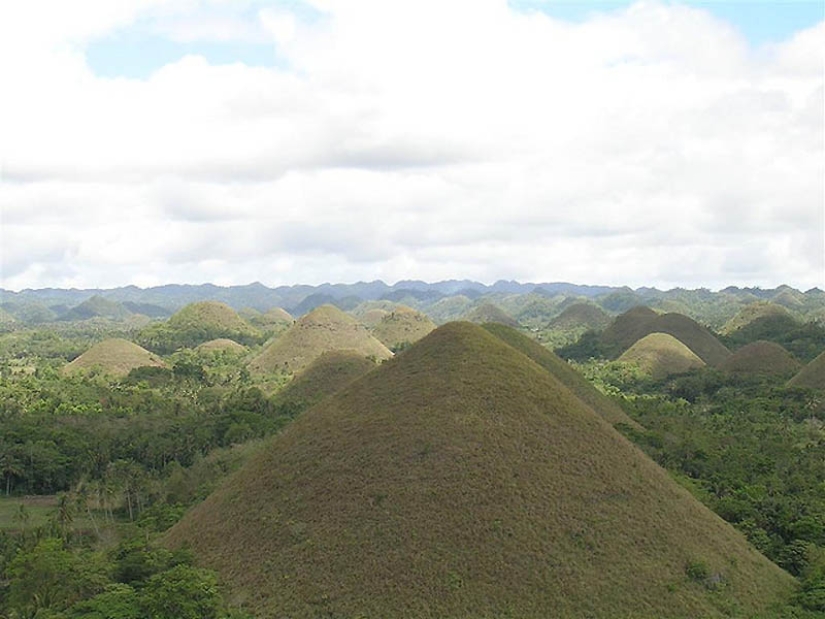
564, 373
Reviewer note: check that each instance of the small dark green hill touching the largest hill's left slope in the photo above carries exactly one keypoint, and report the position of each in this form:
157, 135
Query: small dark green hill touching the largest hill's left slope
327, 374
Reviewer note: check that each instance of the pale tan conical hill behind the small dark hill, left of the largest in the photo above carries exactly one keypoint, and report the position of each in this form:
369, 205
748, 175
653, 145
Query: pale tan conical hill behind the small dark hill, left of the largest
321, 330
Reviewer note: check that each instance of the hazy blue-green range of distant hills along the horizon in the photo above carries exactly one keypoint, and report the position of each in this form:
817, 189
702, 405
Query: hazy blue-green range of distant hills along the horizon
530, 304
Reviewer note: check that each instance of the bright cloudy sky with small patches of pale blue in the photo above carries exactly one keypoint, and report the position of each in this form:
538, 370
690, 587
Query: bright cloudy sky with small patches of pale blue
650, 143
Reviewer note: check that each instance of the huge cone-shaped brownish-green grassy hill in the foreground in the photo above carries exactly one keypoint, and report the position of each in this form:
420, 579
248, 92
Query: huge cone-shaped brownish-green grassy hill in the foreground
462, 480
